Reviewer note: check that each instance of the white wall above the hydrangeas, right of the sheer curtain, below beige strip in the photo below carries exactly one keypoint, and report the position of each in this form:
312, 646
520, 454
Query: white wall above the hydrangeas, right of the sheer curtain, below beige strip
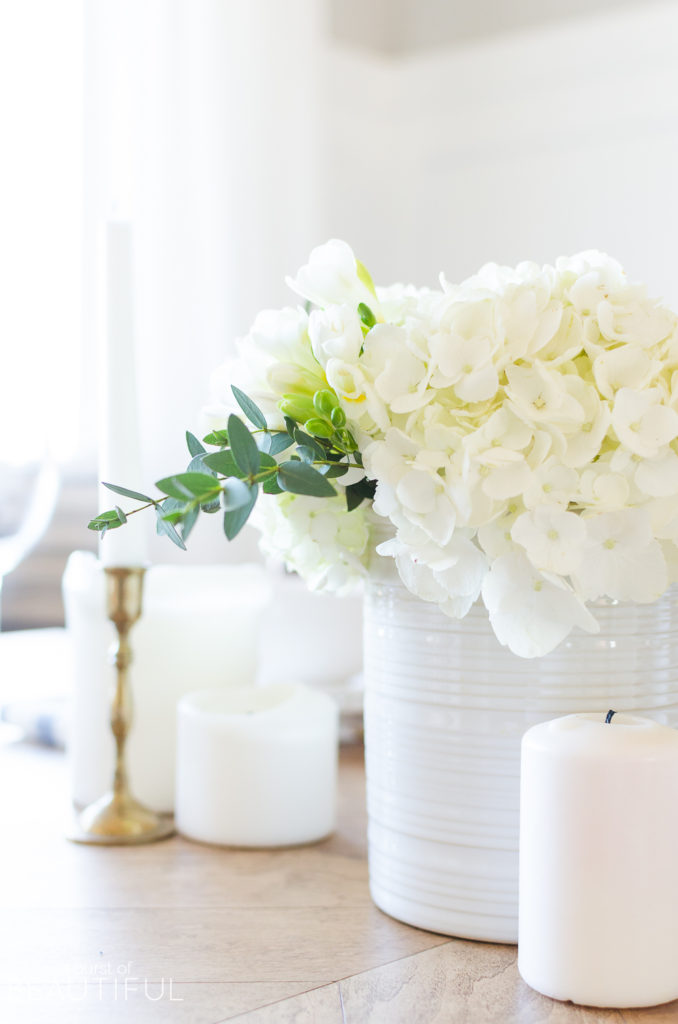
527, 146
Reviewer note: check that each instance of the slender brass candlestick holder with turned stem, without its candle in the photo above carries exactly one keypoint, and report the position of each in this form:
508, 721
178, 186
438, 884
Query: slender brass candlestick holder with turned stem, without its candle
117, 819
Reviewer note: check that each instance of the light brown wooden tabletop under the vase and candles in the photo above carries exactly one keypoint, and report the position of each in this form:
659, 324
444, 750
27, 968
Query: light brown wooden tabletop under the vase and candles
181, 933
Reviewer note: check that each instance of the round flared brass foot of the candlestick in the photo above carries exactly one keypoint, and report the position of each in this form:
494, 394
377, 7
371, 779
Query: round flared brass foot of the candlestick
119, 821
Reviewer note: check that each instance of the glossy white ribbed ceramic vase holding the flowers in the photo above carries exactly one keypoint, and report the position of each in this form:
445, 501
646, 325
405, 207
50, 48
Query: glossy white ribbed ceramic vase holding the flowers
445, 710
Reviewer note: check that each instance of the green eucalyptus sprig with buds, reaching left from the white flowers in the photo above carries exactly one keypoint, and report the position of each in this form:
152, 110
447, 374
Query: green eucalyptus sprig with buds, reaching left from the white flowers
315, 448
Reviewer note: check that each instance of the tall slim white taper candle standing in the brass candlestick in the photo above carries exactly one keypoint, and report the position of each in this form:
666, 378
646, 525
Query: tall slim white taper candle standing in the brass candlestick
120, 460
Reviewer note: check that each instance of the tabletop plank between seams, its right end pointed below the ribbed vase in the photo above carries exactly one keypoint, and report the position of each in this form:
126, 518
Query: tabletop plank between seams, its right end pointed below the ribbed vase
204, 945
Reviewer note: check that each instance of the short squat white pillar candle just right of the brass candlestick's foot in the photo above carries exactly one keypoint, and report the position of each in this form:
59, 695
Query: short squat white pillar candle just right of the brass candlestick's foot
258, 767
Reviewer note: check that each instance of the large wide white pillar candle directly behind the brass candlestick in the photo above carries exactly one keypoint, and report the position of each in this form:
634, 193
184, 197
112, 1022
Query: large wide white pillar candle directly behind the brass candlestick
200, 626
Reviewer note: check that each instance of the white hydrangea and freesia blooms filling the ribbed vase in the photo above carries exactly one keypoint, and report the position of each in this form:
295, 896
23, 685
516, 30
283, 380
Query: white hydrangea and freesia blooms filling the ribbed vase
522, 430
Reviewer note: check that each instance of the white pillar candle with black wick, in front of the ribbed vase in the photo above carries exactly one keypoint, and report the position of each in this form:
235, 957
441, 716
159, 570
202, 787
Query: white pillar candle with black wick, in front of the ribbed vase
599, 919
